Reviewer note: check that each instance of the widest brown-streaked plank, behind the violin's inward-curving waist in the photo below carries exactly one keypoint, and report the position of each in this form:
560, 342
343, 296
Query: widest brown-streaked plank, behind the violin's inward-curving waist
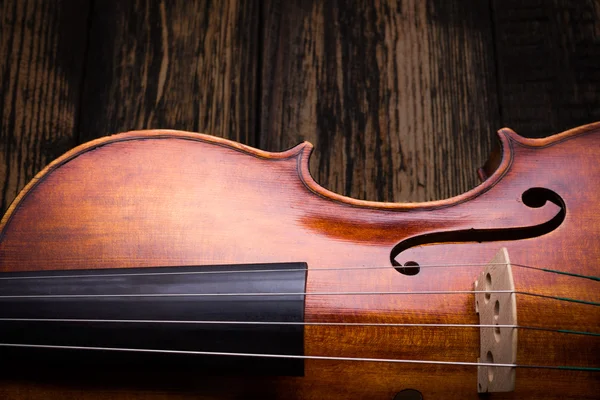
398, 97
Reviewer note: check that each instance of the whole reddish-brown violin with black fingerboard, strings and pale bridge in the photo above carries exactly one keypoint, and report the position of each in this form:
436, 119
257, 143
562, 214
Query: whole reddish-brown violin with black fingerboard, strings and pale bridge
163, 264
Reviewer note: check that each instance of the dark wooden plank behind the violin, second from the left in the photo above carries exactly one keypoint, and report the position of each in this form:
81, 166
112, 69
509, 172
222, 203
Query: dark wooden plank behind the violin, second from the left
186, 65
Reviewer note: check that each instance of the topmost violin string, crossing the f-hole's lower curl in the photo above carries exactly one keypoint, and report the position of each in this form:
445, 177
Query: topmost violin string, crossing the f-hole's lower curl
311, 270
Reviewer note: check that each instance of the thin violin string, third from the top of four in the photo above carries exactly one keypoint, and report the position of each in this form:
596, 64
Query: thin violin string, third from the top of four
295, 323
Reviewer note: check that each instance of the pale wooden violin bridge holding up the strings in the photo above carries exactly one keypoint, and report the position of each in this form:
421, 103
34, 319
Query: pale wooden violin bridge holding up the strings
497, 345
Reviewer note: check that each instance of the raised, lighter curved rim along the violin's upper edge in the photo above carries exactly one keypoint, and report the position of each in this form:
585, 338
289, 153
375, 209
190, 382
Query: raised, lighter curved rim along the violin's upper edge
302, 151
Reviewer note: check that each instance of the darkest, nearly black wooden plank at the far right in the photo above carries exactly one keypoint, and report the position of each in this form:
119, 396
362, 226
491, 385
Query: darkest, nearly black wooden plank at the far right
548, 57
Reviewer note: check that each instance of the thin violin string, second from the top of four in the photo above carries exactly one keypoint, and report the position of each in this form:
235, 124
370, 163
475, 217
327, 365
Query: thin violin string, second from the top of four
253, 294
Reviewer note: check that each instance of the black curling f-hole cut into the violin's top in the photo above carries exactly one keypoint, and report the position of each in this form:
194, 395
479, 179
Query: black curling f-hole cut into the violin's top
533, 198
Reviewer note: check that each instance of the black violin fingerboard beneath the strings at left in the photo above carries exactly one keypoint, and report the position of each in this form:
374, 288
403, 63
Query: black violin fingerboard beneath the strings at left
202, 309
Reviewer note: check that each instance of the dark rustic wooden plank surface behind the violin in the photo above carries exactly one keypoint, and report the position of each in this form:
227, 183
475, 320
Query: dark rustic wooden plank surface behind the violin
401, 98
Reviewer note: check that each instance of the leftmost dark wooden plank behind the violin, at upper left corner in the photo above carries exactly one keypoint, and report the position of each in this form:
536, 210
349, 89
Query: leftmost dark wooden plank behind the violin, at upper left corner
42, 48
